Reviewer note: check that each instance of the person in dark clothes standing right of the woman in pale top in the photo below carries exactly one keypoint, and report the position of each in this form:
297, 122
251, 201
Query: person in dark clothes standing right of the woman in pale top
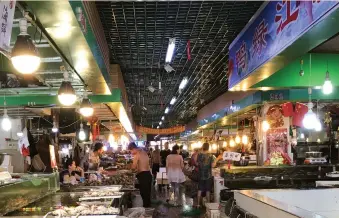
205, 163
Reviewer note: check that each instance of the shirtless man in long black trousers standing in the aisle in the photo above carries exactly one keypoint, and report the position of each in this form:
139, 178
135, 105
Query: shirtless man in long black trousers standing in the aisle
144, 176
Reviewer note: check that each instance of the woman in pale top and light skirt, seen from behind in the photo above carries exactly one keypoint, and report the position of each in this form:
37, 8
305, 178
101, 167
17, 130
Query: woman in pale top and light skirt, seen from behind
174, 166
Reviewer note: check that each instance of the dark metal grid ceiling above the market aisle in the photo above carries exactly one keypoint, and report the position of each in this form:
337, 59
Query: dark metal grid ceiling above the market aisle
138, 34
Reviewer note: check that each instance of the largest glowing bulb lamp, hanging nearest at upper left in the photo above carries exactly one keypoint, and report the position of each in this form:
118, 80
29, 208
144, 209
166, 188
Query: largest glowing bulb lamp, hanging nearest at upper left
25, 57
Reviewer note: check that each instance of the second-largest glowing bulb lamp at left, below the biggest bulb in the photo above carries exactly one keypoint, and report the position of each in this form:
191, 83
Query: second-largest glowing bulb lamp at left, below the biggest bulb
66, 93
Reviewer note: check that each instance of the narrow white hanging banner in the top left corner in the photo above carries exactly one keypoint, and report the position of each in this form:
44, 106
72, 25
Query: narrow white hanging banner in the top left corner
7, 9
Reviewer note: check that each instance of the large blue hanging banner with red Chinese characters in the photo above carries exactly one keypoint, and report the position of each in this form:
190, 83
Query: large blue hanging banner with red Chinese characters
273, 29
